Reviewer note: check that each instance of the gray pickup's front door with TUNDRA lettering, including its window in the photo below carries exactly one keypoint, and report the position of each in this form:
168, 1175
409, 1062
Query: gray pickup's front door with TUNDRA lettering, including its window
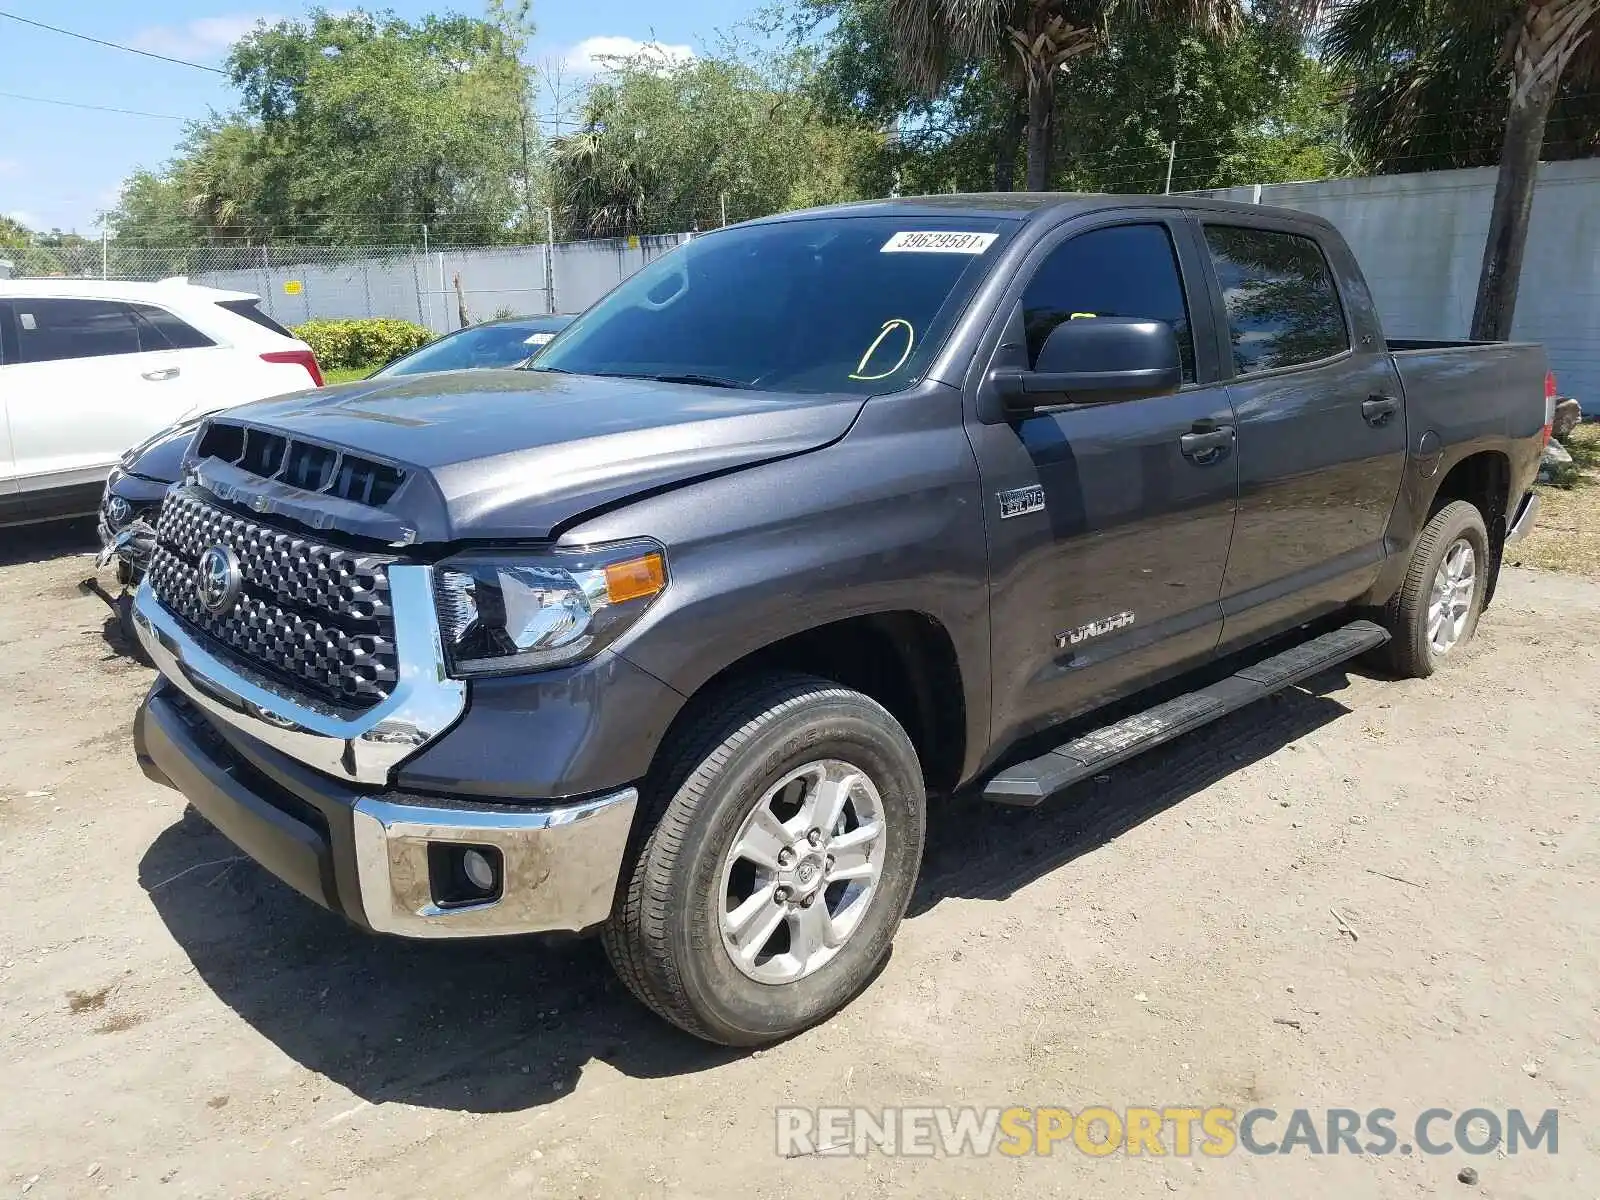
1108, 524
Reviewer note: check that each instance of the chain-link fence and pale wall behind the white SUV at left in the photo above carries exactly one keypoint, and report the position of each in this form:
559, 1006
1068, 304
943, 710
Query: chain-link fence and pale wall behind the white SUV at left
441, 287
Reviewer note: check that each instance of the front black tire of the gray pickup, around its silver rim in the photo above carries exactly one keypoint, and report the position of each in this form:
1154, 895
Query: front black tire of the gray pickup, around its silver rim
665, 938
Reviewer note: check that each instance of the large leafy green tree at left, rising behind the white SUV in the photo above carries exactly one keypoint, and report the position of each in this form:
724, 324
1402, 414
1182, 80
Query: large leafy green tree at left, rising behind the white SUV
356, 127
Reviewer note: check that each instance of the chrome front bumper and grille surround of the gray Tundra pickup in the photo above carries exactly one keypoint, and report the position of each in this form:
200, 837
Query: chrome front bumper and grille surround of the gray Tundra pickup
335, 833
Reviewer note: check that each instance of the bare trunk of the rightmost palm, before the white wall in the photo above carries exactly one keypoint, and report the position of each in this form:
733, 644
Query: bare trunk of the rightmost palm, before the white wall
1519, 170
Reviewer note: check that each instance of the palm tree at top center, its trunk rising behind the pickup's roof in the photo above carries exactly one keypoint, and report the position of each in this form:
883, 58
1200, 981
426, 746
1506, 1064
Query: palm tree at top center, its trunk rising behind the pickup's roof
1031, 41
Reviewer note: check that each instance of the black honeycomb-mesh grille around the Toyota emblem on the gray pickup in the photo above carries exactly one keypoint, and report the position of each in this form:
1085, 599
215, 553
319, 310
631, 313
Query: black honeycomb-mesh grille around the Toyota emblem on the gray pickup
311, 614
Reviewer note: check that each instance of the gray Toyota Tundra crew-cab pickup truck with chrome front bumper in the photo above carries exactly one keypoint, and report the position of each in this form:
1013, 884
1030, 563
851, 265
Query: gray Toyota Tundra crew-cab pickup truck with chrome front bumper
674, 634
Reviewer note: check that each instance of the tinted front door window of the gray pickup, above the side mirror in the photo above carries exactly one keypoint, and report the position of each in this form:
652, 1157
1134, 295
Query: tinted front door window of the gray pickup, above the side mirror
1124, 271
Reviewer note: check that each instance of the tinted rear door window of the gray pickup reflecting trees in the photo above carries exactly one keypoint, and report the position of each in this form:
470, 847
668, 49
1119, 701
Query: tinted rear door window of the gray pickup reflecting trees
1282, 305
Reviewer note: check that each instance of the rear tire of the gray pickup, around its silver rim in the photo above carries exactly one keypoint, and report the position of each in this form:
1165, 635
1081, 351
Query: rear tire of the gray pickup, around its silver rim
1414, 652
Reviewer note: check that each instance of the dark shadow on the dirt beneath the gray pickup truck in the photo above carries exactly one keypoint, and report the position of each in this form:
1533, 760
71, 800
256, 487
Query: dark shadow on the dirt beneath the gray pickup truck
511, 1025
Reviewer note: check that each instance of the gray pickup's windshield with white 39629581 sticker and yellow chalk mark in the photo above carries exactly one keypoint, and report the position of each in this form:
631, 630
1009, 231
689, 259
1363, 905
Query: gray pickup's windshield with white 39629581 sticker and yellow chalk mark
831, 305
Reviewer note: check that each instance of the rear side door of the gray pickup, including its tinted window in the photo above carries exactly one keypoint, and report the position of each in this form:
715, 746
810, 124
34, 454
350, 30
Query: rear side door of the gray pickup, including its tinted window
1319, 420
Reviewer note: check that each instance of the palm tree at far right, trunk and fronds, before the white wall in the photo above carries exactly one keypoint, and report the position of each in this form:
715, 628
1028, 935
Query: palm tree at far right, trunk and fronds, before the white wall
1542, 44
